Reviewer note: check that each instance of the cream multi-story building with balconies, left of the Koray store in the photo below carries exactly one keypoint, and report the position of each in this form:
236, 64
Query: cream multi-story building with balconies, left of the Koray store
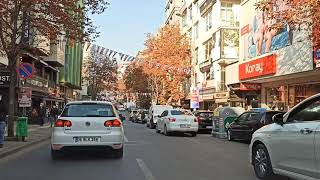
213, 27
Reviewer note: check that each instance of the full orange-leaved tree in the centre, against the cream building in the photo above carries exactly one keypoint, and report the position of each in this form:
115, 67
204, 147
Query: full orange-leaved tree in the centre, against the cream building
166, 52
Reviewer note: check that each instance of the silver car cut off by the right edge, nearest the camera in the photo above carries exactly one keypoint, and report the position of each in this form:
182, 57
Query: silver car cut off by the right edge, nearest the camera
290, 146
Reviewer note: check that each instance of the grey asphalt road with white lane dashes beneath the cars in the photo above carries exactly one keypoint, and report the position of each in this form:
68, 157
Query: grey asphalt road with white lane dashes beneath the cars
148, 156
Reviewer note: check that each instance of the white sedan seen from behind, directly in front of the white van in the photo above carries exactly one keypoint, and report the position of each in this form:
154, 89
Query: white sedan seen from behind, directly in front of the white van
177, 120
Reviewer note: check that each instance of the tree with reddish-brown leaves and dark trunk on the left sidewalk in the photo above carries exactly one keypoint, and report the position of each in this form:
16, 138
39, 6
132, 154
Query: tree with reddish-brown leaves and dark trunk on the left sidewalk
25, 22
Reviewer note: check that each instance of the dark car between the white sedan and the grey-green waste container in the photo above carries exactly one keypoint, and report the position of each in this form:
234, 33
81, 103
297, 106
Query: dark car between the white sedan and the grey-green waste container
204, 119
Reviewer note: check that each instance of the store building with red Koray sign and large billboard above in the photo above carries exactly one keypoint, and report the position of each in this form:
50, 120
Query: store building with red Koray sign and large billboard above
276, 68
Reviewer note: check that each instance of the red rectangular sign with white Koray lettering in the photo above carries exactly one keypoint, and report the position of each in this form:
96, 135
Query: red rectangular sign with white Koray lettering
259, 67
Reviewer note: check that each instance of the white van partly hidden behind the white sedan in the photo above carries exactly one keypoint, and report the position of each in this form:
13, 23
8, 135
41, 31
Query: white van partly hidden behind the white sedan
154, 112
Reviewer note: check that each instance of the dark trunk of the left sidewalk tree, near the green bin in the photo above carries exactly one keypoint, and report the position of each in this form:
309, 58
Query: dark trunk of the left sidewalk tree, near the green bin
12, 94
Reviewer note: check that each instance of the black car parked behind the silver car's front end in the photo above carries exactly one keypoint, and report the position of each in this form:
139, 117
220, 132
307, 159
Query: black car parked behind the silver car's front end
248, 122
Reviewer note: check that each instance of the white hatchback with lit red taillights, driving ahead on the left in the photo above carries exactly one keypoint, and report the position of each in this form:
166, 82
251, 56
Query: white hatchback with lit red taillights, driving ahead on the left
88, 125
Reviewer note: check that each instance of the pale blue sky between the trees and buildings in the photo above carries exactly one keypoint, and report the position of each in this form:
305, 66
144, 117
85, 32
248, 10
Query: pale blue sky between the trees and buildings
125, 23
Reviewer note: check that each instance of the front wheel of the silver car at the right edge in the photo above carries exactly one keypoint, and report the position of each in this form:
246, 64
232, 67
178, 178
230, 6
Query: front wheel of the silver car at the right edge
261, 162
